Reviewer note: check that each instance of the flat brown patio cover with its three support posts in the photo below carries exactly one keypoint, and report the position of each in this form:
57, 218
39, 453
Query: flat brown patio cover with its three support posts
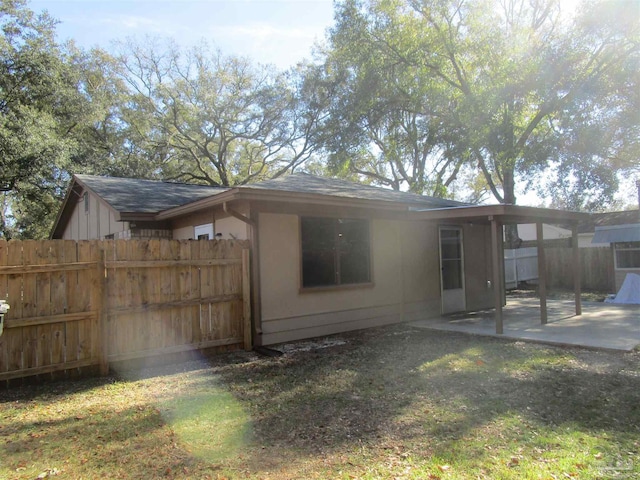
499, 215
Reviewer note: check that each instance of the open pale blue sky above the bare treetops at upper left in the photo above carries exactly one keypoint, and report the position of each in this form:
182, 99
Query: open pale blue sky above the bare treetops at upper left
280, 32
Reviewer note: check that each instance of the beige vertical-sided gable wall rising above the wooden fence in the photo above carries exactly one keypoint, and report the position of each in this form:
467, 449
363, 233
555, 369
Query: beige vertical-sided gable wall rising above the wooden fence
97, 223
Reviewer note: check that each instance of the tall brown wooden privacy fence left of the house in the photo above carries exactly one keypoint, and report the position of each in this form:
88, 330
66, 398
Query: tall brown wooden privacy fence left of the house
90, 303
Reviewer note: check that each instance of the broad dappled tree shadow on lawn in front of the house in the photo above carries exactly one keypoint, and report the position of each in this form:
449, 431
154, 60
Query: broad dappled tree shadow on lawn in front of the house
430, 389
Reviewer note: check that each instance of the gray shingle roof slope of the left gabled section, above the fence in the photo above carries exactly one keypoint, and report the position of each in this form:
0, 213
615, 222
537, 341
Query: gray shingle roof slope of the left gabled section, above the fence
145, 196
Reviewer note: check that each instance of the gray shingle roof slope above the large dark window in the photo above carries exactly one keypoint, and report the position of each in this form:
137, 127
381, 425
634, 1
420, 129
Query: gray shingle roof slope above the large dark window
305, 183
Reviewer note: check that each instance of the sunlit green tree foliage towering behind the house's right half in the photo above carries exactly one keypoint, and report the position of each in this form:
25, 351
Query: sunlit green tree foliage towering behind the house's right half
508, 87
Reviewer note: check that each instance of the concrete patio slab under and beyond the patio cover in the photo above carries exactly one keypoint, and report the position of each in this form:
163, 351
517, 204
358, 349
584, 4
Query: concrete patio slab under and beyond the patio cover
601, 325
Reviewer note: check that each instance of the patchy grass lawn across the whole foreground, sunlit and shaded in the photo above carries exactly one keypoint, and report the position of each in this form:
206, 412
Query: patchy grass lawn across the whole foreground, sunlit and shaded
388, 403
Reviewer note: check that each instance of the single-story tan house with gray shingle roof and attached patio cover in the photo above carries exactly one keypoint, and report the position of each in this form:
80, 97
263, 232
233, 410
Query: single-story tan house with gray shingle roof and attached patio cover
327, 255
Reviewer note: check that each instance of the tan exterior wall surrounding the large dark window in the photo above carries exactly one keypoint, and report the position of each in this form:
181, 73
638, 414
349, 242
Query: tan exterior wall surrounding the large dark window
404, 273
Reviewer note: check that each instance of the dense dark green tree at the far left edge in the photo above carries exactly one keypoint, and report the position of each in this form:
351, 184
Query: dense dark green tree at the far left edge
58, 115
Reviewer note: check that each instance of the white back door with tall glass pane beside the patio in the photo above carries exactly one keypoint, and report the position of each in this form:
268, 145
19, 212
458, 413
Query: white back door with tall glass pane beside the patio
451, 270
